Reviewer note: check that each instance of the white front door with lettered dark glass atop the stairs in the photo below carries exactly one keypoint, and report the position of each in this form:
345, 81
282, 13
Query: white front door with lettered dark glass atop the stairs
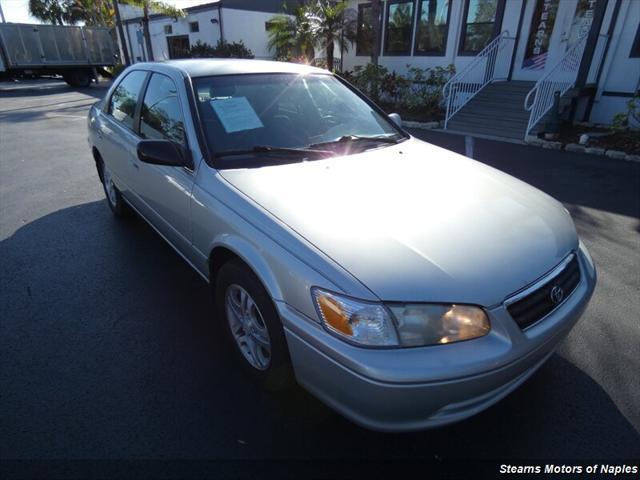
551, 28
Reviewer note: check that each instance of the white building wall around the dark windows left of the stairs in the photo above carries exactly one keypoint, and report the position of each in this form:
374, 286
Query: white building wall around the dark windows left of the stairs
399, 63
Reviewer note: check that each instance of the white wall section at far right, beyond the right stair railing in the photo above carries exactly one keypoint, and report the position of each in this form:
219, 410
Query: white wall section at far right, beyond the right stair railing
620, 73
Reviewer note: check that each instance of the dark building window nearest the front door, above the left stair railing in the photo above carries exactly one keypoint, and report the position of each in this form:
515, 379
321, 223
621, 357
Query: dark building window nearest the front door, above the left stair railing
481, 25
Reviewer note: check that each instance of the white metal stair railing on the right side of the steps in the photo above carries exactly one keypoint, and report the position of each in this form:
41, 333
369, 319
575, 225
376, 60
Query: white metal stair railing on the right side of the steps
560, 79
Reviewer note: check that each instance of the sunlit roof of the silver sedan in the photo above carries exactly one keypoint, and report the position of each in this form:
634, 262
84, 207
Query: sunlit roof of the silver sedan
231, 66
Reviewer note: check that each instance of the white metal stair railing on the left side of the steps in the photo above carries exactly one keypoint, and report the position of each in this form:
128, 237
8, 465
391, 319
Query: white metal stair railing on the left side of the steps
491, 64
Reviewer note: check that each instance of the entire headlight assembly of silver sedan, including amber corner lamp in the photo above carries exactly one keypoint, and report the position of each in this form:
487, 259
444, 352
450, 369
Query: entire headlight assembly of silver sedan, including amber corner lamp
371, 324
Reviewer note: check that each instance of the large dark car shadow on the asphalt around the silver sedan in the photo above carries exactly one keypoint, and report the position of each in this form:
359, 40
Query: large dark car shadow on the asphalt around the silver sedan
110, 348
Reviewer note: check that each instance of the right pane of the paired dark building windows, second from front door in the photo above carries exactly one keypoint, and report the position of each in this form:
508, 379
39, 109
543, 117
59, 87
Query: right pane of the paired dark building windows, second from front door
433, 27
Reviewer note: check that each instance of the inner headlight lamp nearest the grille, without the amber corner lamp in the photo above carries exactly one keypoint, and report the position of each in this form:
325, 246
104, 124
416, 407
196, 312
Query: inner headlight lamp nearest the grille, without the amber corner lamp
431, 324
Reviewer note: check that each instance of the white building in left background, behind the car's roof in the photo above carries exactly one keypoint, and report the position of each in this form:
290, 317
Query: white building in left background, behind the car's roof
230, 20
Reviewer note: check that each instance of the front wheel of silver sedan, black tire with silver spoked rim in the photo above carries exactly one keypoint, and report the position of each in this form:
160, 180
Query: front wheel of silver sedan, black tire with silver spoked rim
271, 371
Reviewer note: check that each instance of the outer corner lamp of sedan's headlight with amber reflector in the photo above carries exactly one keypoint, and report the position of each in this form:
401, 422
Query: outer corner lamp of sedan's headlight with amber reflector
358, 321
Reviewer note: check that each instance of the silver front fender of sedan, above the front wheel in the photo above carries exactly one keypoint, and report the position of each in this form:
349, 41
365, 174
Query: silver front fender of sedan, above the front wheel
287, 266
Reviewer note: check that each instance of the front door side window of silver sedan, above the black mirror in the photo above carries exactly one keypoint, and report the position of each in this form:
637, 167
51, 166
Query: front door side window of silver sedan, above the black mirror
161, 117
